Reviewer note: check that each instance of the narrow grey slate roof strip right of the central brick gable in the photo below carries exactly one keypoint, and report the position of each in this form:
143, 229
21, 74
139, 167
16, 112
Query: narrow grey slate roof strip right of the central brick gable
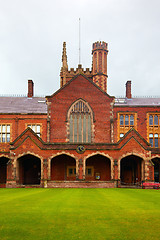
143, 101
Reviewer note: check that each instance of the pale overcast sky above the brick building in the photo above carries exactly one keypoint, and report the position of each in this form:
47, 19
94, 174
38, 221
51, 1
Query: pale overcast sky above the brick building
32, 34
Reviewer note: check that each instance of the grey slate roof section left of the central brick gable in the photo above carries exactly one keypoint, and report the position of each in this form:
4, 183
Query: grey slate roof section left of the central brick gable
23, 105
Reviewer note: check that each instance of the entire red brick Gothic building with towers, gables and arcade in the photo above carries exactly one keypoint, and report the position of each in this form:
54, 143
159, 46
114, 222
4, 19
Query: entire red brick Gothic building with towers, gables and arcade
80, 136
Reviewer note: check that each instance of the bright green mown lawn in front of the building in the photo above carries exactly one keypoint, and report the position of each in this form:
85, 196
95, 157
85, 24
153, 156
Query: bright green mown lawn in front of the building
65, 214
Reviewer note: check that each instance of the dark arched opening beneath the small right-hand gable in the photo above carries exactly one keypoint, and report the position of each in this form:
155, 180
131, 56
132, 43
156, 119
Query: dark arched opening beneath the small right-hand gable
131, 170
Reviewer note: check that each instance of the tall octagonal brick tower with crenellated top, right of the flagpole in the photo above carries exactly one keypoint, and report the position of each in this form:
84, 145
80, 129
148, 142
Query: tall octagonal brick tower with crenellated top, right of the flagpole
99, 68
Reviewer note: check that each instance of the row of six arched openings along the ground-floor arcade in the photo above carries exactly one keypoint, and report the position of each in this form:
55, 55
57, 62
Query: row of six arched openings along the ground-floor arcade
29, 169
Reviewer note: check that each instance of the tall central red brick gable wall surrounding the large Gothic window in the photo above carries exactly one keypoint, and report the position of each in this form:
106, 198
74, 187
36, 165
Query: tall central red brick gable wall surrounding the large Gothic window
80, 87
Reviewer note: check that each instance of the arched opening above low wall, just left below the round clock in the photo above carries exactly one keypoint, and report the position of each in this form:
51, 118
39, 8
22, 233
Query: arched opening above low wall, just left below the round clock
63, 168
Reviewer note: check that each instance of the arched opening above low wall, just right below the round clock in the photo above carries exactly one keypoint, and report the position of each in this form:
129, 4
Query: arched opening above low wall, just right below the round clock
98, 168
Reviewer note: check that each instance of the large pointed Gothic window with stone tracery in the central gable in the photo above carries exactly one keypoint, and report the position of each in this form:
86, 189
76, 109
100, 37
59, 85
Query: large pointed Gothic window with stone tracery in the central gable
80, 122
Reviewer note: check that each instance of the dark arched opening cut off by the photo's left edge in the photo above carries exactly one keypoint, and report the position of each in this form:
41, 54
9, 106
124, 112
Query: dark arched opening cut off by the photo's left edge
3, 170
